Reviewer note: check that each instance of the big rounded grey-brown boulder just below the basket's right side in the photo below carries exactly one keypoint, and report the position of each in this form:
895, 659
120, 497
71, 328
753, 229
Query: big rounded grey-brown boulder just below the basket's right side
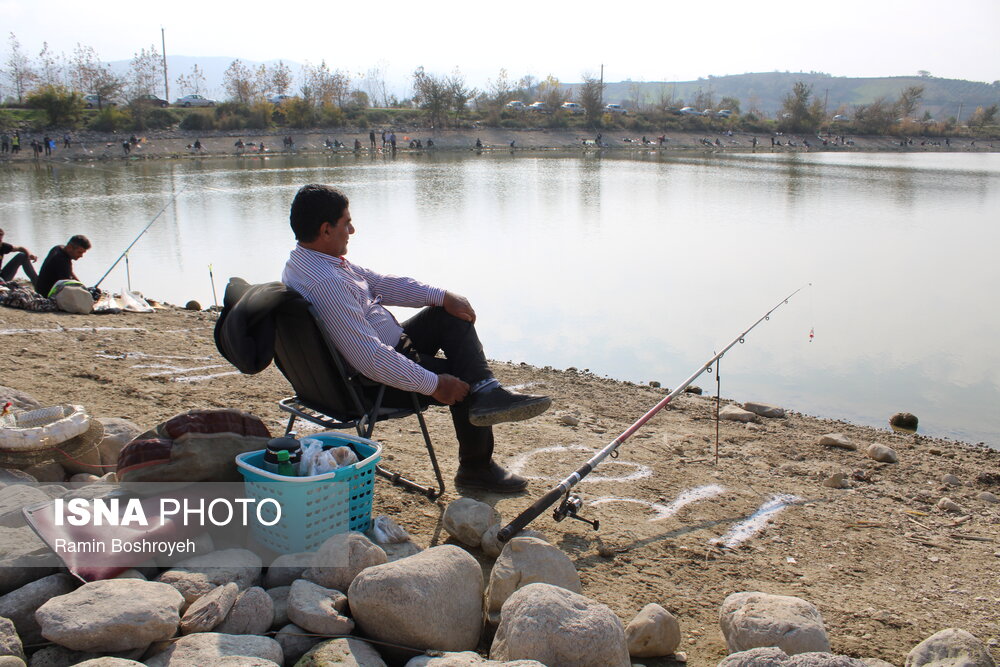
391, 601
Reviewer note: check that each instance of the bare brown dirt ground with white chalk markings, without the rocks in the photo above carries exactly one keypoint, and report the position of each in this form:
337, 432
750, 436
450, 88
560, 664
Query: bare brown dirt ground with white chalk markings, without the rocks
883, 564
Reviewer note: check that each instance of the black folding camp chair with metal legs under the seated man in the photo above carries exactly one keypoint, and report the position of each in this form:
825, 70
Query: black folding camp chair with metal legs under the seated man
327, 395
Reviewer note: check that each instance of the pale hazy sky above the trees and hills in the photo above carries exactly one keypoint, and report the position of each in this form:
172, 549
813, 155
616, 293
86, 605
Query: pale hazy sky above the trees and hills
674, 41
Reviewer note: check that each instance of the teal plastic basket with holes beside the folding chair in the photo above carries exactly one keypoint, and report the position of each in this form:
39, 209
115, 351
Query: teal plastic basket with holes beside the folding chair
312, 508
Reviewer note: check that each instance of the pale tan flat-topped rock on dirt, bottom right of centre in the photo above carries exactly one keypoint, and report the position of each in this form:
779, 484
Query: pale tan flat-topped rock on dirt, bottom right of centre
752, 619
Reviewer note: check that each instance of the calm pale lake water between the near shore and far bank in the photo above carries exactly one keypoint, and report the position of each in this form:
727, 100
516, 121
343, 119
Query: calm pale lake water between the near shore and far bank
638, 267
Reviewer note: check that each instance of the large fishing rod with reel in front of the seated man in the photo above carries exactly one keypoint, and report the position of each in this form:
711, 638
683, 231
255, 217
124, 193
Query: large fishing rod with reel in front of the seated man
571, 504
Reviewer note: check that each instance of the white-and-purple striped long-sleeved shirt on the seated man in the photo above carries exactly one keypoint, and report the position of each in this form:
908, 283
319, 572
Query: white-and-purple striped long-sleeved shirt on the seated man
350, 302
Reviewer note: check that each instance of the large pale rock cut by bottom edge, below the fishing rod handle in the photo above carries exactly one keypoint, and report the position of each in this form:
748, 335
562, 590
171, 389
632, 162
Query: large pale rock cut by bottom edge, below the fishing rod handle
559, 628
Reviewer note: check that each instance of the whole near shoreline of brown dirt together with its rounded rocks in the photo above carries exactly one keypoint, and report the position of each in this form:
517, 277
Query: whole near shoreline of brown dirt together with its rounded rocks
858, 543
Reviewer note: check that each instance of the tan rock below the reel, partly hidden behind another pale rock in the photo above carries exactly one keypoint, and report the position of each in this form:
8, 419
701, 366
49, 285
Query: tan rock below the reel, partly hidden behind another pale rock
523, 561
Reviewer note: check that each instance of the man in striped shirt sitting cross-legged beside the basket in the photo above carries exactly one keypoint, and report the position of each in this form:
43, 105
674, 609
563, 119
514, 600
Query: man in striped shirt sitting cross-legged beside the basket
350, 301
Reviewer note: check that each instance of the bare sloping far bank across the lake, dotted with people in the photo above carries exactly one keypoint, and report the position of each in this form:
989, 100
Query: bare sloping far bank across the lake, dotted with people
177, 144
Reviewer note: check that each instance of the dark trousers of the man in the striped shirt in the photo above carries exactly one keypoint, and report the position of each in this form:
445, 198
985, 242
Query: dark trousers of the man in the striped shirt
433, 330
